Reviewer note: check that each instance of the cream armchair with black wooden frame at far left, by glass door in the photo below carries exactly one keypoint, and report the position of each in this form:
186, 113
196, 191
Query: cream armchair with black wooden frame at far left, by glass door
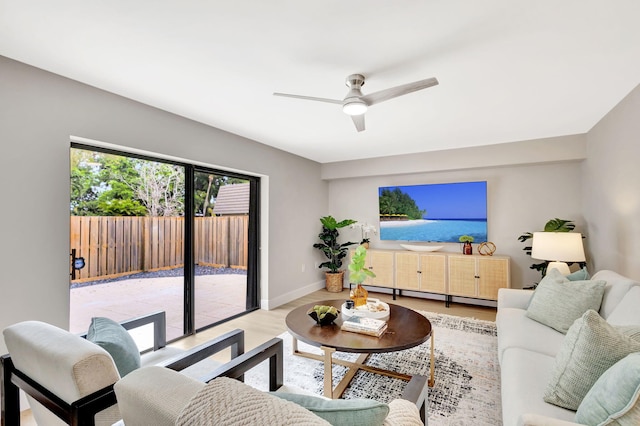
69, 380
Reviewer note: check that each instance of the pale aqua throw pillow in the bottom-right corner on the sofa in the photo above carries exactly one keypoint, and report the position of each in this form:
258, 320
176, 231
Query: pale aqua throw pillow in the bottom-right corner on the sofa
615, 397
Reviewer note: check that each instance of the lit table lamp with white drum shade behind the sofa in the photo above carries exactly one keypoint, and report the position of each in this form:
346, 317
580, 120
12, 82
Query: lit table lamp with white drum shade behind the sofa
558, 248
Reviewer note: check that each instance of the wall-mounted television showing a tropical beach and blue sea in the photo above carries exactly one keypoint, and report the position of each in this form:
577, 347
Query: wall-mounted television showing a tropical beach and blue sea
433, 212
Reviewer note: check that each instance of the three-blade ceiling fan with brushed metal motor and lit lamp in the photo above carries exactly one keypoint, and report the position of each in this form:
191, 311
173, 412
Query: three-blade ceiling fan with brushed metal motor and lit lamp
355, 103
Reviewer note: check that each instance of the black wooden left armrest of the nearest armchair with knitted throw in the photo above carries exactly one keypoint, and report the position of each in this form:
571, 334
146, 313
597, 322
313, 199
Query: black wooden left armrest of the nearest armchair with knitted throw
273, 350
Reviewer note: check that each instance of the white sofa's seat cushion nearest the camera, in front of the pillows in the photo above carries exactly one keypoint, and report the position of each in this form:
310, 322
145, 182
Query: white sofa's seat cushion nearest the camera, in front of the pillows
524, 377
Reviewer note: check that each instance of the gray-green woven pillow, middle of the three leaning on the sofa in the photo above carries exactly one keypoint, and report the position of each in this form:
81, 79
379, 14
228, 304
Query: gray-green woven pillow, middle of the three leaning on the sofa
590, 348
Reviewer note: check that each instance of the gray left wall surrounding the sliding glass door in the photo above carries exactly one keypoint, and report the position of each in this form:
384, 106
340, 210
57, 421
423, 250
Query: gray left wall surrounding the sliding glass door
40, 111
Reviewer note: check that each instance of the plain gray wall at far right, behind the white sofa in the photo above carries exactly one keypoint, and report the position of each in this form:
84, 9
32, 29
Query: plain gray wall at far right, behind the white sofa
612, 188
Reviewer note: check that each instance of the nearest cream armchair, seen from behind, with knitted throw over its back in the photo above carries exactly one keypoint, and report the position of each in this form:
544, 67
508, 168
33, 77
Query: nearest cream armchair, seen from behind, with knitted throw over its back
161, 397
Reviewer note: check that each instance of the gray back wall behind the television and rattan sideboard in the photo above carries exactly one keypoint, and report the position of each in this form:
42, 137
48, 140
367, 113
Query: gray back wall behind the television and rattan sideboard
521, 198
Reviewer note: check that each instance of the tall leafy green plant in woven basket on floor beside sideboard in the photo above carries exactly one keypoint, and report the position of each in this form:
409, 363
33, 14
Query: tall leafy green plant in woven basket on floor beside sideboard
333, 250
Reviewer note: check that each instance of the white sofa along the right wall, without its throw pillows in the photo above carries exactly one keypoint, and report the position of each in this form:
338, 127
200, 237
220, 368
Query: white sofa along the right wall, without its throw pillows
527, 349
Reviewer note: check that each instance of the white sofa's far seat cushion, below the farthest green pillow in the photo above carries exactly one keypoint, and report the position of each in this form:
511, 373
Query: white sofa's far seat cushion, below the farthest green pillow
515, 329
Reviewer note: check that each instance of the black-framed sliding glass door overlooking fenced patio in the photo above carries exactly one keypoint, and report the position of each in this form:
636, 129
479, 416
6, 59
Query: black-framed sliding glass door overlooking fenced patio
133, 252
